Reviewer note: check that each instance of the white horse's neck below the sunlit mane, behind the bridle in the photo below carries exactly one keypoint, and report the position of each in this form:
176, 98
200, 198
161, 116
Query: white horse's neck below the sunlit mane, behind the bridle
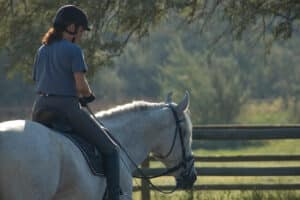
137, 132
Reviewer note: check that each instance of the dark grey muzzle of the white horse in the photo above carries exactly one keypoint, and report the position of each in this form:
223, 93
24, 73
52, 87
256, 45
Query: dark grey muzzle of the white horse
187, 178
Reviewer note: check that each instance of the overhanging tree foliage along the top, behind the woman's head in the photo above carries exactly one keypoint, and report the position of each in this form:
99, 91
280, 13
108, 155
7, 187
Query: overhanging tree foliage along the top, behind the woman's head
114, 22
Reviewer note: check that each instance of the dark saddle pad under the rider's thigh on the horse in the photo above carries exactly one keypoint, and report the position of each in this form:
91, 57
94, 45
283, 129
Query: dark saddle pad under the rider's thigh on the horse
90, 153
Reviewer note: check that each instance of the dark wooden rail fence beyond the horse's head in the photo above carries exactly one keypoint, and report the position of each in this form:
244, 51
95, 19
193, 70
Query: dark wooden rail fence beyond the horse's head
229, 132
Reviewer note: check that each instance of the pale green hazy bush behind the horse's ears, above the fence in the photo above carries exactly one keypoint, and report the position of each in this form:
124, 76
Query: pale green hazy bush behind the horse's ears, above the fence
215, 86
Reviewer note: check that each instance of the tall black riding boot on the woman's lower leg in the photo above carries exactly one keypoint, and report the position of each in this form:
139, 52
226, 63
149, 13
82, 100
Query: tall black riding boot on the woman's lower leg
112, 171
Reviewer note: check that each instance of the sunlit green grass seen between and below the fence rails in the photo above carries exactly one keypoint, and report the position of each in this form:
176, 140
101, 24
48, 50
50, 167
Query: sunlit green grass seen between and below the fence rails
266, 147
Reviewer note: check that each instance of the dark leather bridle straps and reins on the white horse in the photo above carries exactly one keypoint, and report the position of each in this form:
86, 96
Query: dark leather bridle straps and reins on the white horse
183, 163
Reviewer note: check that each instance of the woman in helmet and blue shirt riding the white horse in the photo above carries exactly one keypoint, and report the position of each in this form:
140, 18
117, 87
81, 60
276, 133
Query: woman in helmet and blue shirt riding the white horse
59, 74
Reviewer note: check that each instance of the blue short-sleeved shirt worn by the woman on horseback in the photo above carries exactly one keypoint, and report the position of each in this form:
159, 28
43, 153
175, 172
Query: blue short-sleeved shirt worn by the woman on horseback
54, 67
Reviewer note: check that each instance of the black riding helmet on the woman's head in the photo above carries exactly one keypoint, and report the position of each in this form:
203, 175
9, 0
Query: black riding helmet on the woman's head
70, 14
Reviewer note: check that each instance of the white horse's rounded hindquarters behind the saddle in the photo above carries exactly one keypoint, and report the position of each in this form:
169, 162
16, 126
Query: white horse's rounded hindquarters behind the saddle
28, 155
